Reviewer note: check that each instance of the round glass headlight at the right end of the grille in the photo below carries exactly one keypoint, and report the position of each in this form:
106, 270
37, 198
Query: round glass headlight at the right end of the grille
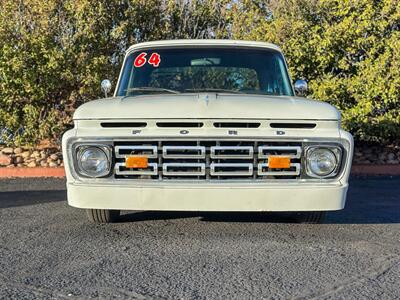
321, 161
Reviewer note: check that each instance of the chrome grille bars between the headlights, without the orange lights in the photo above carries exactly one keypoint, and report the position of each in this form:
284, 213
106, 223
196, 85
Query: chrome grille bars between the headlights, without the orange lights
207, 160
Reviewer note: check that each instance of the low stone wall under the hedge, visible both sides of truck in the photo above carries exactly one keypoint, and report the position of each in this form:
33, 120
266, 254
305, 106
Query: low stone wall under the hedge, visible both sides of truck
52, 157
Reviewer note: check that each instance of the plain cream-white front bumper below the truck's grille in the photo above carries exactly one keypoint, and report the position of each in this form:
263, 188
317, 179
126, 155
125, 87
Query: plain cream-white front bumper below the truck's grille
288, 197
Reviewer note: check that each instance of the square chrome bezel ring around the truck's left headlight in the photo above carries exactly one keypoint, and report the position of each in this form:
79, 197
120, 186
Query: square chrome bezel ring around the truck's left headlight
79, 149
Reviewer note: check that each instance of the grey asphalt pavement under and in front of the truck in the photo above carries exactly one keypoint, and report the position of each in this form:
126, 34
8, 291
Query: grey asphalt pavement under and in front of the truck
49, 250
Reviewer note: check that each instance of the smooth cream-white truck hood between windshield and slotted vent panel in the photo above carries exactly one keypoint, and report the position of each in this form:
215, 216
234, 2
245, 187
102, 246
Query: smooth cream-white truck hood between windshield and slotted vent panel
207, 106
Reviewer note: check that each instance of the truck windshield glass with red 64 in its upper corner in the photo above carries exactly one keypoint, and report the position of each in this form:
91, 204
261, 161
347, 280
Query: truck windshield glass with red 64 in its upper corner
187, 70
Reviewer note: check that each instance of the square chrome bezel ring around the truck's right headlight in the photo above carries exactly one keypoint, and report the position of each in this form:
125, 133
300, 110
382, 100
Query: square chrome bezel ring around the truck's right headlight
335, 149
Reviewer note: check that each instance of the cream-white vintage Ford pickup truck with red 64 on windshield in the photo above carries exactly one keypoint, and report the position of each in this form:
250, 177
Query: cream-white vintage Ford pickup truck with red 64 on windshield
206, 125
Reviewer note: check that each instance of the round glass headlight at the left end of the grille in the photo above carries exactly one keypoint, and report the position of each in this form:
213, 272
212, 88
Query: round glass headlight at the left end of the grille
93, 161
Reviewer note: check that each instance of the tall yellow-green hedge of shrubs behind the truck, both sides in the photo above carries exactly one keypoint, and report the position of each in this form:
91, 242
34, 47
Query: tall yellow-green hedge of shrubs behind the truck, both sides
53, 54
